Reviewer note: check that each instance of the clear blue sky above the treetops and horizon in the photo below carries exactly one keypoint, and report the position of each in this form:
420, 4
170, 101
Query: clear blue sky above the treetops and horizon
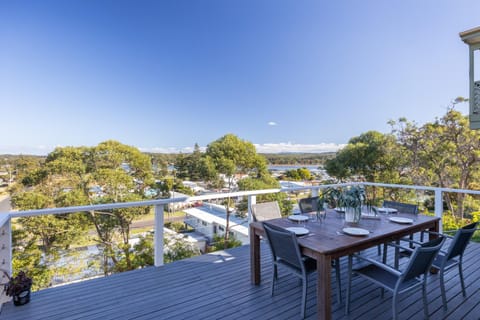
285, 75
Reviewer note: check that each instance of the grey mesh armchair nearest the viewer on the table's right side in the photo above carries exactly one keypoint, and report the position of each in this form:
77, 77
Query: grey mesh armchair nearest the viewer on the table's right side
414, 275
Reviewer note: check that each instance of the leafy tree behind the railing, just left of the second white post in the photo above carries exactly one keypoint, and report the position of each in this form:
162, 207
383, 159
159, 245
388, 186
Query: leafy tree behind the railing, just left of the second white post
122, 172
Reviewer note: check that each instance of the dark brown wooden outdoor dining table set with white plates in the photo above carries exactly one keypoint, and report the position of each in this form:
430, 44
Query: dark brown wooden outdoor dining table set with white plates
326, 241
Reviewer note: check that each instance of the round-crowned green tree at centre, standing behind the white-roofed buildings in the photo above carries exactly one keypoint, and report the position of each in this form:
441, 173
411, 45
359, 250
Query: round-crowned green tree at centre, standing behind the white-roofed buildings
229, 158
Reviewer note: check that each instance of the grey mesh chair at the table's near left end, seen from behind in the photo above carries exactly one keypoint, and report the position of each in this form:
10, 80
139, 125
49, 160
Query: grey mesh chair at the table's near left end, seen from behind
286, 253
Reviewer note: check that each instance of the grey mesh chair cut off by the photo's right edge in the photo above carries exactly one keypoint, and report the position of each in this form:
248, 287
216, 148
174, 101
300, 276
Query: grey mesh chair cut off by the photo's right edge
454, 257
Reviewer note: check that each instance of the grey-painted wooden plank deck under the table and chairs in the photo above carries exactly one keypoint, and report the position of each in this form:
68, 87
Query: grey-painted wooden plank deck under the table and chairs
217, 286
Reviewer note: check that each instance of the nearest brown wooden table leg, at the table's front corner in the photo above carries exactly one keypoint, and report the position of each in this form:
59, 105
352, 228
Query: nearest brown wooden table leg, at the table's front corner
324, 303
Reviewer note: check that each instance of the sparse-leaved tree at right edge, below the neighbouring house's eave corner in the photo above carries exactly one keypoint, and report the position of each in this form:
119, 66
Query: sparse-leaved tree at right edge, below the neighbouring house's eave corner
444, 153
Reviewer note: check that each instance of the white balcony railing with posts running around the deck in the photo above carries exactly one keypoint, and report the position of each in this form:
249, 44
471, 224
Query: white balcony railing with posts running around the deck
159, 205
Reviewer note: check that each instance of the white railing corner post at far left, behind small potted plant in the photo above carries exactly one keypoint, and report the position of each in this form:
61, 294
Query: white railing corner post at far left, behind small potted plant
5, 256
